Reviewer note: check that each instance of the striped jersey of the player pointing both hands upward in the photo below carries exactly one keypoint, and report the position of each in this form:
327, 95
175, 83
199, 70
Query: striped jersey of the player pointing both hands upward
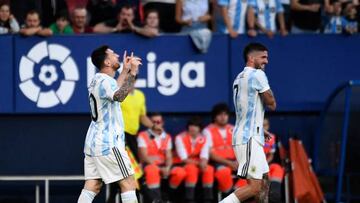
106, 129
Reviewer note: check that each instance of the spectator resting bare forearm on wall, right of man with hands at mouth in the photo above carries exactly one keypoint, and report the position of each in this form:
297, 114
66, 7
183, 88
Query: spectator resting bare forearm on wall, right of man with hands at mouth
151, 27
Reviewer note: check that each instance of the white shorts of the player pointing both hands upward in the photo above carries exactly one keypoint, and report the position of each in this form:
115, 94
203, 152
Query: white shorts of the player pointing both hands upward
110, 168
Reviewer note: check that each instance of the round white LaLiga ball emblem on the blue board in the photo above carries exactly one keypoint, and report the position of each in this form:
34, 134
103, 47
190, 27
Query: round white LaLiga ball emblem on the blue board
39, 72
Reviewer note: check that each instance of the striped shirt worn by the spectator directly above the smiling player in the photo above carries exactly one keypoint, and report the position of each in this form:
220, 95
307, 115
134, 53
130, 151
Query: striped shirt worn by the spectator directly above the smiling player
265, 11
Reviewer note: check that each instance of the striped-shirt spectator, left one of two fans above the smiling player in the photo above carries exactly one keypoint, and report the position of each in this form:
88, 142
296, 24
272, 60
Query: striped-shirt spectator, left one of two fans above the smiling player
233, 17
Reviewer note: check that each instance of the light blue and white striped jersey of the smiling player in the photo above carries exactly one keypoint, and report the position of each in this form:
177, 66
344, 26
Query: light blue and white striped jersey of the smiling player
249, 107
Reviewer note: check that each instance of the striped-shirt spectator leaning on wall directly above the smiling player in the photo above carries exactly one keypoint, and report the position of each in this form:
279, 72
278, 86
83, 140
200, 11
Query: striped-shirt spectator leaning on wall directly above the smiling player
266, 12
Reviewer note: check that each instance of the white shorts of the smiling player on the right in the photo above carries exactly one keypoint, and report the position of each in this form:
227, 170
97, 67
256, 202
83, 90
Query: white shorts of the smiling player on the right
252, 160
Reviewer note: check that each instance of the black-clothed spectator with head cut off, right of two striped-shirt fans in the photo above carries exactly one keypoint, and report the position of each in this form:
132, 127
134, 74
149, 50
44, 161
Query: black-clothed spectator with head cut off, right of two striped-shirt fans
306, 16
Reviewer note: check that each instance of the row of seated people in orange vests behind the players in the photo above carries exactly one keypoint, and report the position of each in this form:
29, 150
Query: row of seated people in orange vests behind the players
199, 160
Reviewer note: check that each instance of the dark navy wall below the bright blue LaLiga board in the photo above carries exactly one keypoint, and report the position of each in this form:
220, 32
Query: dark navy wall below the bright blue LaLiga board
53, 144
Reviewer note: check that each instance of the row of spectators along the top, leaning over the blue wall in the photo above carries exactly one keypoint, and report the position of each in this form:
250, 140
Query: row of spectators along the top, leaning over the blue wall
197, 18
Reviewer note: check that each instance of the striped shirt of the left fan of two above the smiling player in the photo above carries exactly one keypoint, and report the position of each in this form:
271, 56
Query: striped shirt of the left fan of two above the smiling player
237, 14
